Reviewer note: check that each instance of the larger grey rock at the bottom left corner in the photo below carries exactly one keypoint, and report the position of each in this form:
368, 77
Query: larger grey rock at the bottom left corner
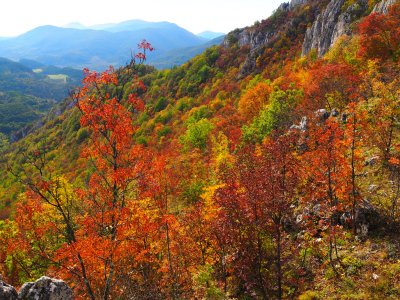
45, 288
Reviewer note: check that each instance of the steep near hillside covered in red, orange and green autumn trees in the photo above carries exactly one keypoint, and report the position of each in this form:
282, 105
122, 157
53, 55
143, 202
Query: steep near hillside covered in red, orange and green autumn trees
264, 168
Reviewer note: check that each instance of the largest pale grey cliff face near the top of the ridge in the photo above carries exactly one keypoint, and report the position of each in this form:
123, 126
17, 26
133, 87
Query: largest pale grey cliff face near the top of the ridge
332, 23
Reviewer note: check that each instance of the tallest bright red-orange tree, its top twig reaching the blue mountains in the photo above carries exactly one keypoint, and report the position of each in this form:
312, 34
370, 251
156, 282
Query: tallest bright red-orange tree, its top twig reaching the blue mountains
111, 220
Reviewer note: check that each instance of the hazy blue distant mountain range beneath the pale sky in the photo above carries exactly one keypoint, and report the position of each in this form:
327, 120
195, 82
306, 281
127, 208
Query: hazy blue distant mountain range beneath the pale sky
99, 46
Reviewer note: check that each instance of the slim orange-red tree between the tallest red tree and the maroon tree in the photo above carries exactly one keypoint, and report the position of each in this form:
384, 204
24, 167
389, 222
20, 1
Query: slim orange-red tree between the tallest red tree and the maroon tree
161, 187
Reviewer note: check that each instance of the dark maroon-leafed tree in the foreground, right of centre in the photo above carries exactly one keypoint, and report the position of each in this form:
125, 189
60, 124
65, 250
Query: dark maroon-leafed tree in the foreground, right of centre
257, 199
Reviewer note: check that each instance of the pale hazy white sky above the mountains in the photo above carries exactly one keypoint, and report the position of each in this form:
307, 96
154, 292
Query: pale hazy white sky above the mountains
19, 16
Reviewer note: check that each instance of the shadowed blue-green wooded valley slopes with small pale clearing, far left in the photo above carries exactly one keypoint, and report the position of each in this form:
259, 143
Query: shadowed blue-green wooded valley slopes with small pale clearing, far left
28, 90
